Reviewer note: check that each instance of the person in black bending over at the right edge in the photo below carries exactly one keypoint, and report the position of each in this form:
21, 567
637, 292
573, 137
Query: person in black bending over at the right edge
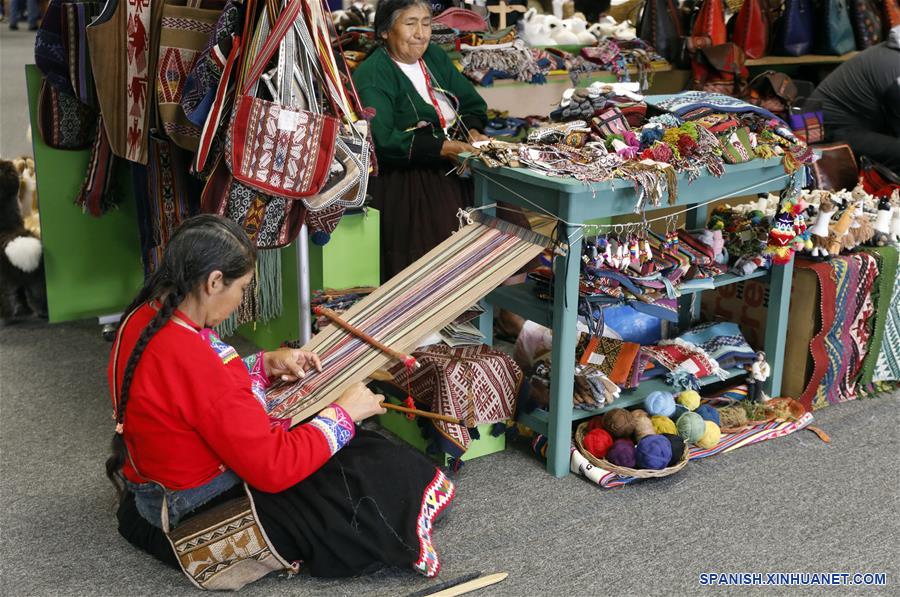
861, 102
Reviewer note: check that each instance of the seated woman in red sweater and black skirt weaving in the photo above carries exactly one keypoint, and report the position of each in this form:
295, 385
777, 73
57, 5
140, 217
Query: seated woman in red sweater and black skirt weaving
191, 418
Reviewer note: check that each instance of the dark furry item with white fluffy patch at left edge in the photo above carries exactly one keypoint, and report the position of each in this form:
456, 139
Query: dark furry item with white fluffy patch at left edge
22, 290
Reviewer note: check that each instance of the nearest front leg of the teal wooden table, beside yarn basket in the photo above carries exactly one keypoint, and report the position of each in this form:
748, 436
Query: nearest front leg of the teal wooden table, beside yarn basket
565, 313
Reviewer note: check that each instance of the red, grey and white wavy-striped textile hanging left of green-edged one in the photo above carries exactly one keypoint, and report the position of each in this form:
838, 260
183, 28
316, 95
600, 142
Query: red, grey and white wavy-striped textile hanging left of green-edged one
847, 314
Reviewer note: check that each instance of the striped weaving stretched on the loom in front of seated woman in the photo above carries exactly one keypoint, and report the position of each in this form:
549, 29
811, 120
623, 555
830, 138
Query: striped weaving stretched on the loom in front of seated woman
424, 297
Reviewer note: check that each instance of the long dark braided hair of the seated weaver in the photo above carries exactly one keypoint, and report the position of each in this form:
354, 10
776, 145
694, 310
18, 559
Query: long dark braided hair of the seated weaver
200, 246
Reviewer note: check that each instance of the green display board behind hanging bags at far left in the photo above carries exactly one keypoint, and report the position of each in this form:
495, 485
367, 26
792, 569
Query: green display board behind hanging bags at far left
93, 265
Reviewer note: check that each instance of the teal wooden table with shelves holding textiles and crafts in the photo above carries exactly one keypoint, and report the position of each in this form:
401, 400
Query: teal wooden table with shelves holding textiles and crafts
573, 202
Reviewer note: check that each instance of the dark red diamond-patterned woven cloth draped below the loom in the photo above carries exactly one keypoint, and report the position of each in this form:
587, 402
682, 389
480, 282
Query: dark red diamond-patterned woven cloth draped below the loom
467, 382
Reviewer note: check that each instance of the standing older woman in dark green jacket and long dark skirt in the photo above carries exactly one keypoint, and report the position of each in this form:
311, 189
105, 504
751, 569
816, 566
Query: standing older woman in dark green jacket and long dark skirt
426, 114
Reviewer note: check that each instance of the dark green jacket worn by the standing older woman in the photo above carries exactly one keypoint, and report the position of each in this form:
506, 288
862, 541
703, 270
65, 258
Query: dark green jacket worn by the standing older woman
399, 107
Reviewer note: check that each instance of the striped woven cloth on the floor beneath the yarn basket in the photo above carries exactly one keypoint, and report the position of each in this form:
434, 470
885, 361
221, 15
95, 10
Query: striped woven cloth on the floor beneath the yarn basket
730, 441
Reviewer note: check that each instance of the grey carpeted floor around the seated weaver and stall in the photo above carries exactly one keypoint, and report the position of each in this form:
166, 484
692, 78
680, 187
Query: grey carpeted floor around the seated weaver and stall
793, 504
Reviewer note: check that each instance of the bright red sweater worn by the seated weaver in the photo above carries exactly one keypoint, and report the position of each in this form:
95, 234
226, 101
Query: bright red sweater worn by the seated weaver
191, 415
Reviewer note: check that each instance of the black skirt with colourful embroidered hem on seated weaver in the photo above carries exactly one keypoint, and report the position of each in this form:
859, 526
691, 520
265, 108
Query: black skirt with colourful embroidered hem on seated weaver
373, 504
